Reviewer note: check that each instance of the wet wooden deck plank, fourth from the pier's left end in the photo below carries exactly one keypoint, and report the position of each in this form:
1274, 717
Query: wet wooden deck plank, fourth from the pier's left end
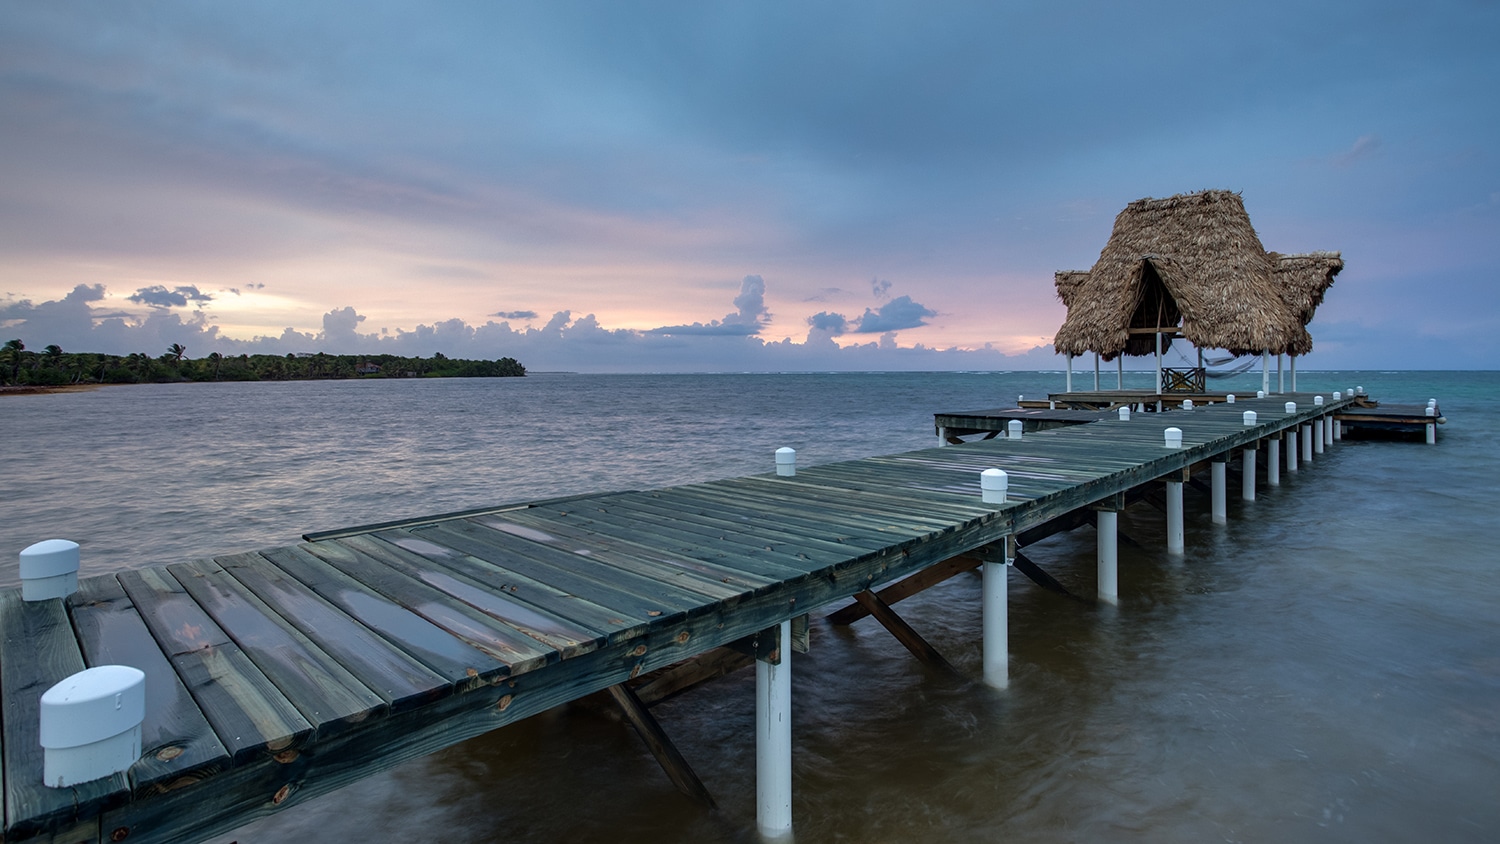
325, 692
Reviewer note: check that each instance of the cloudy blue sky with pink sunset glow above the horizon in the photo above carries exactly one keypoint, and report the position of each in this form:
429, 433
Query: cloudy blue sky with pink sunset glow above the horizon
725, 187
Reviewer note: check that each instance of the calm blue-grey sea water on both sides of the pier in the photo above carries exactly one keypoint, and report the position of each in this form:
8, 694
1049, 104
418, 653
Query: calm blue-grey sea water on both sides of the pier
1325, 668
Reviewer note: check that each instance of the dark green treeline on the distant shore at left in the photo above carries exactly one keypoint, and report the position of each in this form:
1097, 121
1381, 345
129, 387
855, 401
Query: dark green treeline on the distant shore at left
56, 368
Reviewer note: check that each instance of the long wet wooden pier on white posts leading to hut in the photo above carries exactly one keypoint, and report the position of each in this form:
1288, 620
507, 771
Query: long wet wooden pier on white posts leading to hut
284, 674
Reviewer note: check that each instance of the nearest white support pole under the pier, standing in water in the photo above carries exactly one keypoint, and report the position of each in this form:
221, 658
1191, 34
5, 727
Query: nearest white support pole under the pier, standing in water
773, 743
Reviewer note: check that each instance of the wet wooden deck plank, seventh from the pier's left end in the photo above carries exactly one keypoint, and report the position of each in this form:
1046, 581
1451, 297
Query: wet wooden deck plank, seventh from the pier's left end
505, 644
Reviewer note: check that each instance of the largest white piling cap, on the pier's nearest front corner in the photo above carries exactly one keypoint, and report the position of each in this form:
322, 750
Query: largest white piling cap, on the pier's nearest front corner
91, 725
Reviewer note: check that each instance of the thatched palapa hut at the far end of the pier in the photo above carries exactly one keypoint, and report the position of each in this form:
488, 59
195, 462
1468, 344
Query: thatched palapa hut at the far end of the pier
1192, 266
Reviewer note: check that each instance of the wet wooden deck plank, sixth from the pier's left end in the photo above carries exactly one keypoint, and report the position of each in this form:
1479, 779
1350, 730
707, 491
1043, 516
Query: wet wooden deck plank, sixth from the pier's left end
452, 659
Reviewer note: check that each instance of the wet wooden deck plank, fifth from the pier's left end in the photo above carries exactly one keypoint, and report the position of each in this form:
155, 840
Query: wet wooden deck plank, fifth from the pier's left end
395, 675
